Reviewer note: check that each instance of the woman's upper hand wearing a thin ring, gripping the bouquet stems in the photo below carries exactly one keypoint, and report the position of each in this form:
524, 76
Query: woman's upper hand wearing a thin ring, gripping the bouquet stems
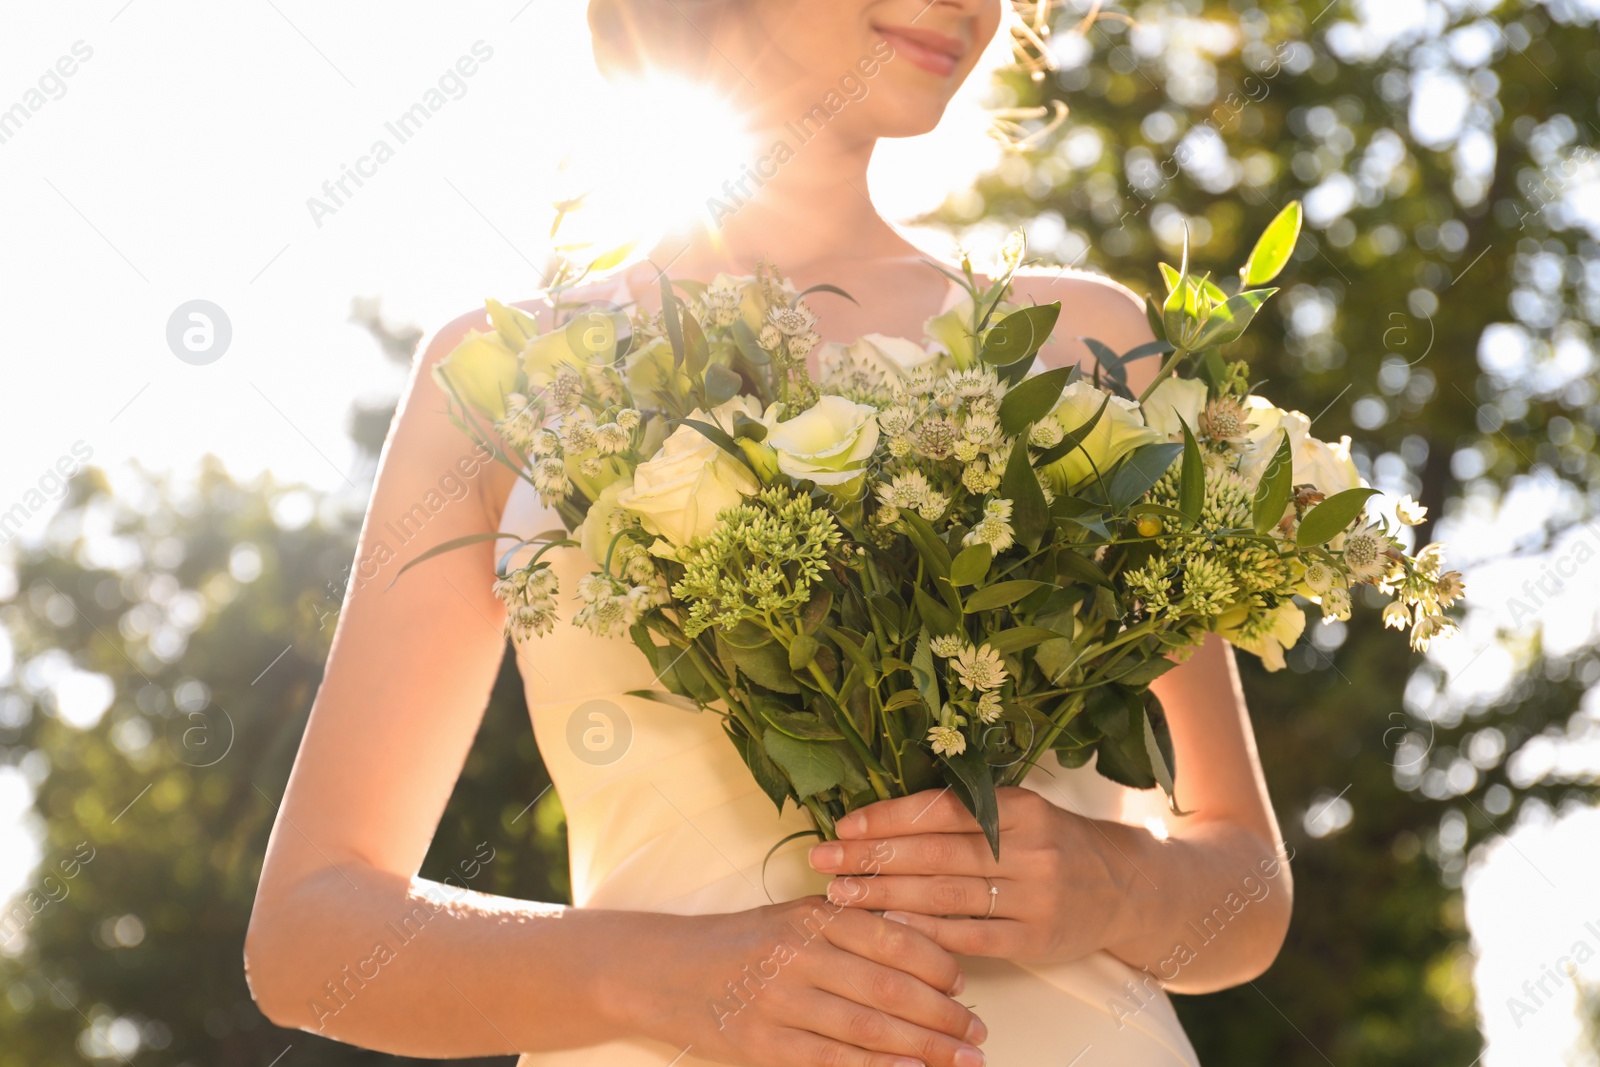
1062, 889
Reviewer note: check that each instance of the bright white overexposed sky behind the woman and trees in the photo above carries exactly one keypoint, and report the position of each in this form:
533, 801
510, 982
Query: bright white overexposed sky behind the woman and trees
175, 164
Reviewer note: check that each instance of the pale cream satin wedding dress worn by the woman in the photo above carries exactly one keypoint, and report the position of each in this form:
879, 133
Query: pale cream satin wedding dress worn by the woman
663, 817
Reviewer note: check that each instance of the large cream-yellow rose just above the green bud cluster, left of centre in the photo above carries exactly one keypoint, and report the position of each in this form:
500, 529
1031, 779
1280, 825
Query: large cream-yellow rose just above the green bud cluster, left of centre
682, 489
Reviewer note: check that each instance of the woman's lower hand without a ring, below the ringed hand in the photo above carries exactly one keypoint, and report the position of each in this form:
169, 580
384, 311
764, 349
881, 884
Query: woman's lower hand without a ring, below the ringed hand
804, 985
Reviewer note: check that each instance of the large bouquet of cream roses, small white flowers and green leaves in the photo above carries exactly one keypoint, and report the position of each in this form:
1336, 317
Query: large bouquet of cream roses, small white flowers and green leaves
934, 564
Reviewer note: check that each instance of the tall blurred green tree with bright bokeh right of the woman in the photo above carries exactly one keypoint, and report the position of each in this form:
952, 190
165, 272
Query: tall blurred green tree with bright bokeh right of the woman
1441, 308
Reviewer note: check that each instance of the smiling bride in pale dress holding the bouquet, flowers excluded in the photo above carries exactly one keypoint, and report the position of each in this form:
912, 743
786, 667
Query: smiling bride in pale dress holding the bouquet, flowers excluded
906, 943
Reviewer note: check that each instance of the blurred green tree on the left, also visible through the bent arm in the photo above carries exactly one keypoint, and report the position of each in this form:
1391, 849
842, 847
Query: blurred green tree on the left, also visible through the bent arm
199, 617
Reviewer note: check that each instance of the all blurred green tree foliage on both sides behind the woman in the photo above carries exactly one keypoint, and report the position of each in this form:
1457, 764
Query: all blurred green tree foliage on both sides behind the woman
1441, 310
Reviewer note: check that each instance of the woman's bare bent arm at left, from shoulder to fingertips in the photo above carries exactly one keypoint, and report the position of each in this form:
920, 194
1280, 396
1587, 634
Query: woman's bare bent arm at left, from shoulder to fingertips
348, 941
